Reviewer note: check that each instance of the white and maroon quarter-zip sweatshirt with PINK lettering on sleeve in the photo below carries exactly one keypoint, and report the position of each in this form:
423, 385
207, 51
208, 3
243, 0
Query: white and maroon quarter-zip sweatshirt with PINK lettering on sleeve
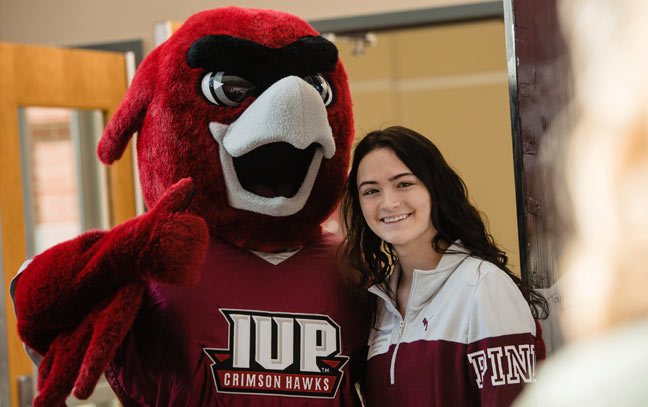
467, 338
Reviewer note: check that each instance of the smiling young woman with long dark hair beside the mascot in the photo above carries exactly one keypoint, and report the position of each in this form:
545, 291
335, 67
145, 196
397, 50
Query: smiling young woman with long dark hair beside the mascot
452, 324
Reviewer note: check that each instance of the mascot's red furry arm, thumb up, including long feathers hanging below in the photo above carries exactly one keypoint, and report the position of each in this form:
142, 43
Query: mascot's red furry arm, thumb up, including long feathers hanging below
76, 301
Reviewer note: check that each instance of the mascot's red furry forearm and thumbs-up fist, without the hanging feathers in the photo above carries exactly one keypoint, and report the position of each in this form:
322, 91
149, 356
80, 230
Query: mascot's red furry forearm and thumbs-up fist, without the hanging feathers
57, 290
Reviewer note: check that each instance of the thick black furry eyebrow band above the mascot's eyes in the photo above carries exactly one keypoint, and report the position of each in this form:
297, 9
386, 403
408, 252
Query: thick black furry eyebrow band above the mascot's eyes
306, 56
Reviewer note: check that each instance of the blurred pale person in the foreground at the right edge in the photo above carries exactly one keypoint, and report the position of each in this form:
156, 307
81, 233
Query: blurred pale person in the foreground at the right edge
605, 274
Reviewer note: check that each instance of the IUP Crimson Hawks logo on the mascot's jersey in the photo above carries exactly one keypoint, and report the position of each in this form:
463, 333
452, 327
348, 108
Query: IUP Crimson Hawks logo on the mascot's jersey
279, 353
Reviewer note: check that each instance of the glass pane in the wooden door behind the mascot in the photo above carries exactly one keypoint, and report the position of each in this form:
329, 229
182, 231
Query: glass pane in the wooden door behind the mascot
65, 187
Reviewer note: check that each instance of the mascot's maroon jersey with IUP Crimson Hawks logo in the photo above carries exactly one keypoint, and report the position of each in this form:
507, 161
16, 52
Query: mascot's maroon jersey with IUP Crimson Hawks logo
249, 333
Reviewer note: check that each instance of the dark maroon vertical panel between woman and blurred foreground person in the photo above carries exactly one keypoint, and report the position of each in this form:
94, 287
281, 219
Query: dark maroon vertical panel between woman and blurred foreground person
540, 89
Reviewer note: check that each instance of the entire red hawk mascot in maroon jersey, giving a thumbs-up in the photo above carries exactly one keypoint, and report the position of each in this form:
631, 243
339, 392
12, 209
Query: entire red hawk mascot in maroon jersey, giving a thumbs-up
226, 292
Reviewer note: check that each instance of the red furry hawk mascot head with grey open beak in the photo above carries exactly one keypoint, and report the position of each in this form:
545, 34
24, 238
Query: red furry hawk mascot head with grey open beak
254, 106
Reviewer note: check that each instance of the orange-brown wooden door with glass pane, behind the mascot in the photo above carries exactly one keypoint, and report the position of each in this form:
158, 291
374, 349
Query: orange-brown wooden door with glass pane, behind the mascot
48, 77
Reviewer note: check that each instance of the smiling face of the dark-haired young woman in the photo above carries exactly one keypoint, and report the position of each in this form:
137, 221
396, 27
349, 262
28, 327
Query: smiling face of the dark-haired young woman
395, 204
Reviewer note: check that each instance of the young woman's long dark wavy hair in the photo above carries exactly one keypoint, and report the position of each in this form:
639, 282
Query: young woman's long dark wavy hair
452, 215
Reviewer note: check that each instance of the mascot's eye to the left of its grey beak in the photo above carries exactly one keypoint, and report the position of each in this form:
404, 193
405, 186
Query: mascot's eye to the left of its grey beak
225, 90
